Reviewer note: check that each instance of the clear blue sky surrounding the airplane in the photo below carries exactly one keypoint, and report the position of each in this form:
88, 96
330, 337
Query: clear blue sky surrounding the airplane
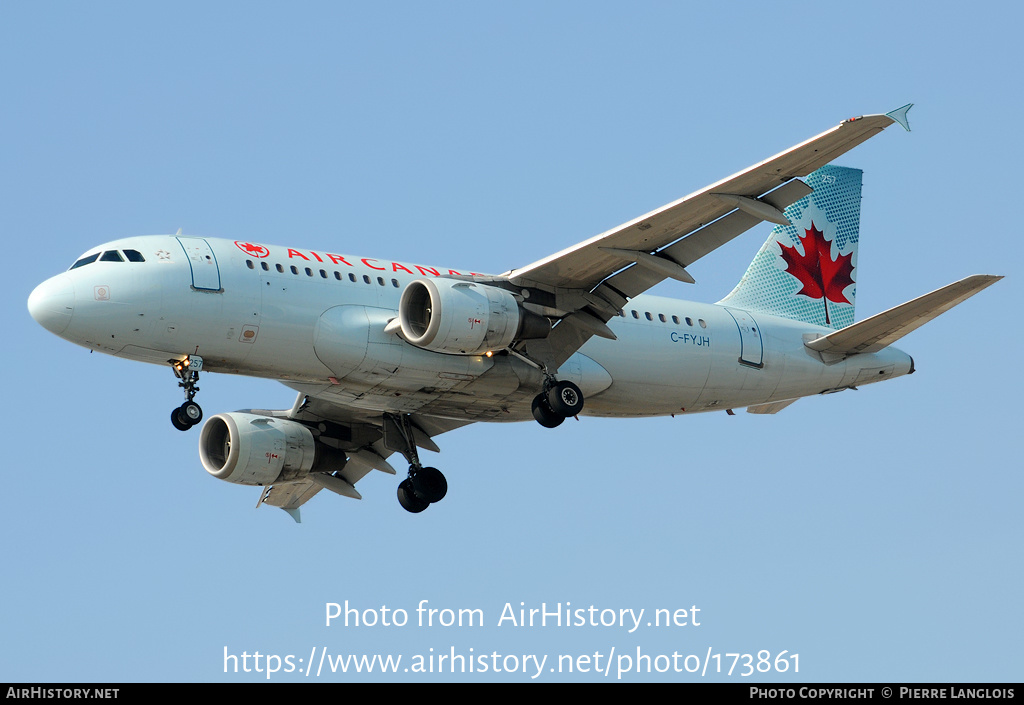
878, 533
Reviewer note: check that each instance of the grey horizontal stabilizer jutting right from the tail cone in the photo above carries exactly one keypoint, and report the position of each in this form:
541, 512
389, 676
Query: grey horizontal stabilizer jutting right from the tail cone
886, 328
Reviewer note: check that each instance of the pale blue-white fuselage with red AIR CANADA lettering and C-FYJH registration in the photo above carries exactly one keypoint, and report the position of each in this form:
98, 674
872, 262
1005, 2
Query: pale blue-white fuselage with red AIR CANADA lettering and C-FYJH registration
316, 321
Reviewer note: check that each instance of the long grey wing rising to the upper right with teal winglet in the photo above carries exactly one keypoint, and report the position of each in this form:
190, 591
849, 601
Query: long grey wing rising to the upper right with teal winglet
588, 284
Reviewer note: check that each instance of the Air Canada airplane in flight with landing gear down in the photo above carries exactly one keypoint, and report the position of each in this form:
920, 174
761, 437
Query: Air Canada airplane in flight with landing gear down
387, 356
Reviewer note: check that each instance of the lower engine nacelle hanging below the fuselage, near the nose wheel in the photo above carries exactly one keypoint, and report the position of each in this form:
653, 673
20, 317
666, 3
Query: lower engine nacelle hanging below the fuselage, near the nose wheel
259, 450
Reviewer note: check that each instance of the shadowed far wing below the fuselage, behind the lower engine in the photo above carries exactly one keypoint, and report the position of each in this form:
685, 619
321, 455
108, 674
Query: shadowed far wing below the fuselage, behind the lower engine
361, 434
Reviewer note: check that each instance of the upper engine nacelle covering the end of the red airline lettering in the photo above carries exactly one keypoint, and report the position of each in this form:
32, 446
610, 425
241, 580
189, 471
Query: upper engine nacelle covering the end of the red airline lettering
464, 318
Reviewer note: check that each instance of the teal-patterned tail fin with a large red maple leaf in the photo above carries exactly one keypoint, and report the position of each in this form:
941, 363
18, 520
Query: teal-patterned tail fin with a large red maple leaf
807, 271
